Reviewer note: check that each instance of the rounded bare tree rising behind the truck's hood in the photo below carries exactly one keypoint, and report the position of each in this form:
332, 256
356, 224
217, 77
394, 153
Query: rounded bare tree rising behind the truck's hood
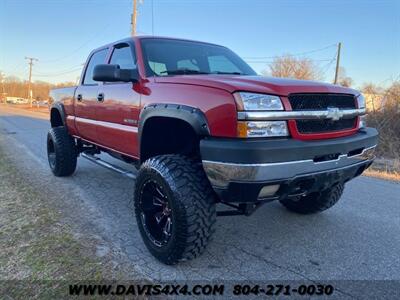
291, 67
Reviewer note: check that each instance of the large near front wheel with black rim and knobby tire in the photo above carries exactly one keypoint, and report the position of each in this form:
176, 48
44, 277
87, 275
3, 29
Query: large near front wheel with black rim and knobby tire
174, 207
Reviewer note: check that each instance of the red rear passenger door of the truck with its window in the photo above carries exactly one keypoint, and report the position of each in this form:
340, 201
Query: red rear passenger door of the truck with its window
86, 98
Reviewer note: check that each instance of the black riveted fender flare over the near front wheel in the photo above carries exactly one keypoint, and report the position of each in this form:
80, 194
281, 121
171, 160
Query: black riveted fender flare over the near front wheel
191, 115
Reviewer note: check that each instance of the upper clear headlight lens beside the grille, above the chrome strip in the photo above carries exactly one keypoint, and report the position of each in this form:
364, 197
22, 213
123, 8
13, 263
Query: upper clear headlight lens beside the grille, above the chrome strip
253, 101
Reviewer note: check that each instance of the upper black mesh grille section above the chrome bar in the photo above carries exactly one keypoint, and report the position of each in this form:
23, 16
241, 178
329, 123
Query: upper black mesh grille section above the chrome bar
321, 101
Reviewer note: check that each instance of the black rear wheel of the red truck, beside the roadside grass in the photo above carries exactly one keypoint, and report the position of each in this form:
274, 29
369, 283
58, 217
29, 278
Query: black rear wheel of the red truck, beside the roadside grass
61, 152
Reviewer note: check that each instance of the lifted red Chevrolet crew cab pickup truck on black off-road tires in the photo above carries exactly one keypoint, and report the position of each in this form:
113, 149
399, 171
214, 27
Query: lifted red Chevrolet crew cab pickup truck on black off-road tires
202, 128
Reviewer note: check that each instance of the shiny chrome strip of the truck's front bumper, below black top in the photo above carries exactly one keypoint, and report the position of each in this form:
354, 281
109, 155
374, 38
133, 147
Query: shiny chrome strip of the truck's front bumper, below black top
221, 174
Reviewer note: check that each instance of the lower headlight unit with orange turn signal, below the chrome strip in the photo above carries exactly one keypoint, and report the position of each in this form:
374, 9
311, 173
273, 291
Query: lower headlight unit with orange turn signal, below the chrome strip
262, 129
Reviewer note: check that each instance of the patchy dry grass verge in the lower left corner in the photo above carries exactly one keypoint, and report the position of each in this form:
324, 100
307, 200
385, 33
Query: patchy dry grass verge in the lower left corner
36, 248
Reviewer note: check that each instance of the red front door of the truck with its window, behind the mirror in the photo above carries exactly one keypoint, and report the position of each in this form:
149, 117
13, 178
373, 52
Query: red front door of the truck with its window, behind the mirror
118, 112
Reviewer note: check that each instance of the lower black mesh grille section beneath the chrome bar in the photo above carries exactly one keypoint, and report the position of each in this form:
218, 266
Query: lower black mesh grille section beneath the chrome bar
323, 126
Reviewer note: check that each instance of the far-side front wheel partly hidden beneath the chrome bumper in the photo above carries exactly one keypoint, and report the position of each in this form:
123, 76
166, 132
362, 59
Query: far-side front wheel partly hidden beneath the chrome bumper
315, 202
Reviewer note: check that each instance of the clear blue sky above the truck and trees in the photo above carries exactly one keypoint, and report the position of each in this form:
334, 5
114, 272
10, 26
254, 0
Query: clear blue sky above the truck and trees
61, 33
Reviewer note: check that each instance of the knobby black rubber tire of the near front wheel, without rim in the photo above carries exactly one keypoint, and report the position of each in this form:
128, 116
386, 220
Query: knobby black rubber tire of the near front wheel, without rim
195, 202
